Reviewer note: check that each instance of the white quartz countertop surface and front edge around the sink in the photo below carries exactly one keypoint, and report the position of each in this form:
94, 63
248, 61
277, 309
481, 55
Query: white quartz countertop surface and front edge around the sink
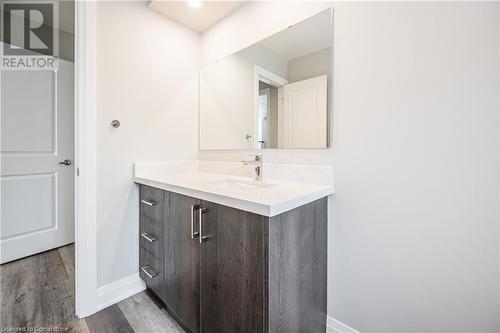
268, 204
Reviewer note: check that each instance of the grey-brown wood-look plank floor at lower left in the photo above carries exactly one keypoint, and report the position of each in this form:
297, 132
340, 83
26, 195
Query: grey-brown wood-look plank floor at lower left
37, 293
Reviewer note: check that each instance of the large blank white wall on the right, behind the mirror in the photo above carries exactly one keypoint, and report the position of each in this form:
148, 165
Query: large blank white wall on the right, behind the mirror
413, 246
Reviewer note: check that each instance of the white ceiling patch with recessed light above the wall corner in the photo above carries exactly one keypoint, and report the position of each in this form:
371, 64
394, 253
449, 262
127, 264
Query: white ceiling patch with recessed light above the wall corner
198, 19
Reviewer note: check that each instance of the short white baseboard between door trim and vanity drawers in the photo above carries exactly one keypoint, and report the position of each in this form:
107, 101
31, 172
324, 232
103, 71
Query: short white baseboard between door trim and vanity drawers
117, 291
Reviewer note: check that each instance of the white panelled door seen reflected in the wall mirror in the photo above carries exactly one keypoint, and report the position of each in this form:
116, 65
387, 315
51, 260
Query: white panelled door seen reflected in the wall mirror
305, 113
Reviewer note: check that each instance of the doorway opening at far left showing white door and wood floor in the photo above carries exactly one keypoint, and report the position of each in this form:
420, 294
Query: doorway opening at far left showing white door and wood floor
37, 174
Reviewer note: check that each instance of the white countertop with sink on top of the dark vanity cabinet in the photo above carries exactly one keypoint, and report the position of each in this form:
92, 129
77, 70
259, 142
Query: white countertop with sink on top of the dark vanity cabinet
268, 201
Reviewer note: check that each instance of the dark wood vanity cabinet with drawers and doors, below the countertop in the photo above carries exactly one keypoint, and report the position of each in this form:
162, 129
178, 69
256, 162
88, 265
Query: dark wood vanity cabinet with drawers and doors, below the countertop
226, 270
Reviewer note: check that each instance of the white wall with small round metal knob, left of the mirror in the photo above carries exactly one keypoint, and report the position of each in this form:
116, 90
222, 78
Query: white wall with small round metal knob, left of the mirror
147, 79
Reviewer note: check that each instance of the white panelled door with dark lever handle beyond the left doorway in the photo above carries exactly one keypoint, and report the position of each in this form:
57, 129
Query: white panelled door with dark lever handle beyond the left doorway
37, 132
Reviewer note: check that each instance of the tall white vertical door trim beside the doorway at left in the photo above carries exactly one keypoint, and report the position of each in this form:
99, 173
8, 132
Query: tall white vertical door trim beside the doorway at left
85, 158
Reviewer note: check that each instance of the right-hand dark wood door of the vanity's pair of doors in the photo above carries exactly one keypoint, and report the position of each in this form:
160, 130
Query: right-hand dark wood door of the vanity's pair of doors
232, 270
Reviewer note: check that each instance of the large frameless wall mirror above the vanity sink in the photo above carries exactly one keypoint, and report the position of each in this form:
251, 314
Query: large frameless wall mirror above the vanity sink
273, 94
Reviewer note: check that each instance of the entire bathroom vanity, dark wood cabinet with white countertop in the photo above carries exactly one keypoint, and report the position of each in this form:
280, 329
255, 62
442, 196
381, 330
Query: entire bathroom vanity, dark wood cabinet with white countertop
228, 254
